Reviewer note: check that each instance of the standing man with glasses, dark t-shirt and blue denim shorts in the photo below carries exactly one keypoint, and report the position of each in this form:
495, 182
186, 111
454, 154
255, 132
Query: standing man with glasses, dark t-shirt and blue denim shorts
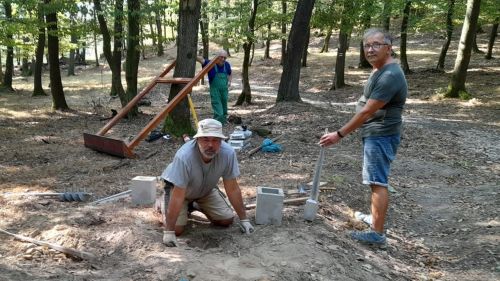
379, 114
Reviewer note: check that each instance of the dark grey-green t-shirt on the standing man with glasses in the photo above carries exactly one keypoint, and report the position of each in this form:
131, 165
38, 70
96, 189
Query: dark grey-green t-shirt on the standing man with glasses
388, 84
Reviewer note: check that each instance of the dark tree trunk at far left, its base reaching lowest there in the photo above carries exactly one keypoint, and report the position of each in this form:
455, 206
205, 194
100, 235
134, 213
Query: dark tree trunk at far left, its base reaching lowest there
56, 87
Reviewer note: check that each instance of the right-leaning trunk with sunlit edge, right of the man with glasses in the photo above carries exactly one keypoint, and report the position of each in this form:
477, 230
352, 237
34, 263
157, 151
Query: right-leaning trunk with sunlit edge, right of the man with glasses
458, 78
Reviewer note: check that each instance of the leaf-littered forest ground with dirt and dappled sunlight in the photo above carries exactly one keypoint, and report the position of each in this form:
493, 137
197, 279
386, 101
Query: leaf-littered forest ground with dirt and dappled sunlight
443, 222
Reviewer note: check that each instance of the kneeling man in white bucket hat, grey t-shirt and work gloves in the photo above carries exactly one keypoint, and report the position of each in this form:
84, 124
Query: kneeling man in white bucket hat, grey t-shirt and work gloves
193, 176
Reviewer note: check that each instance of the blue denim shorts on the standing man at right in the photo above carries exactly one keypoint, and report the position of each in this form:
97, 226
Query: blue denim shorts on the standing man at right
378, 153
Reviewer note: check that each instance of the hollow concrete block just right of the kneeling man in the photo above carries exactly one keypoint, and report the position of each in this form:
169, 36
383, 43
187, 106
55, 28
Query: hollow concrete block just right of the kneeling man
269, 206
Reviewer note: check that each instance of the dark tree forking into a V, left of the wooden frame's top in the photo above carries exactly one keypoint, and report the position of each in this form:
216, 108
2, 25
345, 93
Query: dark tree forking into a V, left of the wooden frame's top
113, 57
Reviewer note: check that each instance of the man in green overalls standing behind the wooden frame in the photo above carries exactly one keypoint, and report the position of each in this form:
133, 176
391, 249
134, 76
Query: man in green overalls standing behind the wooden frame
219, 78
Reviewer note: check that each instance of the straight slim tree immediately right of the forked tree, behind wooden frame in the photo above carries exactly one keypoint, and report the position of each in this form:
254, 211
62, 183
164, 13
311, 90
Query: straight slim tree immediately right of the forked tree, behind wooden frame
133, 52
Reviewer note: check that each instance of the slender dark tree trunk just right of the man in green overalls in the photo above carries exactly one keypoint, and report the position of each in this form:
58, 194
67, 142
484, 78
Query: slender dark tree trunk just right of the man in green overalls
246, 93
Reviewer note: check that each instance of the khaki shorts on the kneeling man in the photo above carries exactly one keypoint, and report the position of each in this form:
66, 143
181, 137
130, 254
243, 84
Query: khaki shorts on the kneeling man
213, 206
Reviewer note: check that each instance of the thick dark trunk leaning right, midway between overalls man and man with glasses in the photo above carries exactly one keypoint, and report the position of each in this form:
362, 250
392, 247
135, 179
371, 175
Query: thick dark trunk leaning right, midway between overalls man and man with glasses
289, 84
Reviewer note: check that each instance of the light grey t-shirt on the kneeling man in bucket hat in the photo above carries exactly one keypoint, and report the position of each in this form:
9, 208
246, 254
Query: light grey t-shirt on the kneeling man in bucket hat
188, 170
